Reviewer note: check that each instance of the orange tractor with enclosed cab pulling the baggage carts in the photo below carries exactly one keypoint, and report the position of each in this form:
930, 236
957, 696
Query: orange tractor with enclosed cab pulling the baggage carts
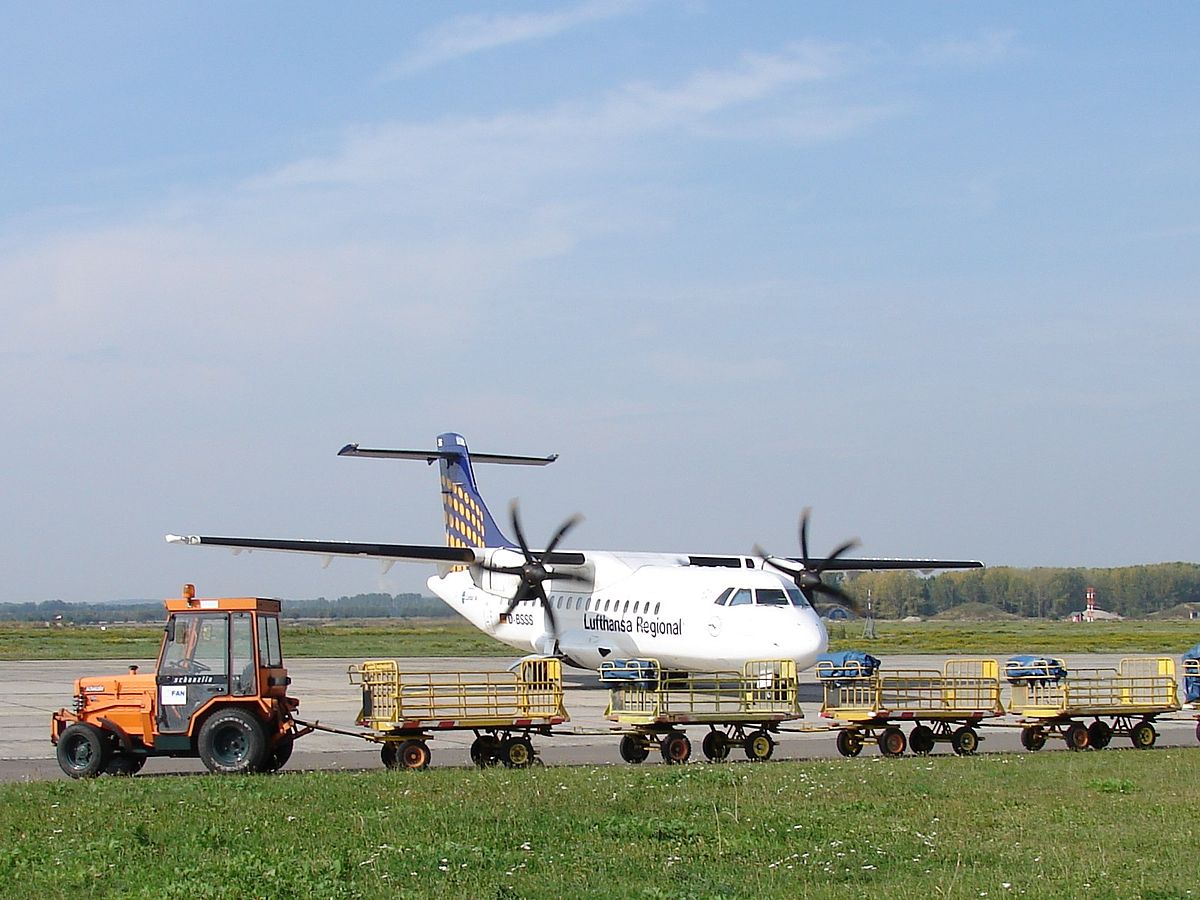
219, 692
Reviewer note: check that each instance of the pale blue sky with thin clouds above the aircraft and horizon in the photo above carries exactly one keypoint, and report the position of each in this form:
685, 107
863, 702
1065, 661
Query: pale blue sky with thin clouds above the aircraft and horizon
931, 271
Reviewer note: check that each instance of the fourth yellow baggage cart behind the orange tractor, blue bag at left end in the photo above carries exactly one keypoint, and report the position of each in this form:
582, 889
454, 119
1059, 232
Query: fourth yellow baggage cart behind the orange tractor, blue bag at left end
1123, 701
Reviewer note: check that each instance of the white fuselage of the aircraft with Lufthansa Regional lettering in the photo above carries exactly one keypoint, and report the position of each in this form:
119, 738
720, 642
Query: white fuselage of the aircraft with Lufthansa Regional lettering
644, 605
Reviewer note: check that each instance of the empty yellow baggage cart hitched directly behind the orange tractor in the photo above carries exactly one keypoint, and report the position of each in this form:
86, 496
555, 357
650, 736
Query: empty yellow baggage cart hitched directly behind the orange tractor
404, 711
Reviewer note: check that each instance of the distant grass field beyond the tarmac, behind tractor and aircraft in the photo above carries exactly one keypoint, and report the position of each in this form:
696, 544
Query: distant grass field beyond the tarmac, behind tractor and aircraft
455, 638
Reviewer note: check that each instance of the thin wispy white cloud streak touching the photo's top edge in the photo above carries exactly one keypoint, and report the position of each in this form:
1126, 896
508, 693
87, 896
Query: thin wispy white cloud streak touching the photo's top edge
466, 35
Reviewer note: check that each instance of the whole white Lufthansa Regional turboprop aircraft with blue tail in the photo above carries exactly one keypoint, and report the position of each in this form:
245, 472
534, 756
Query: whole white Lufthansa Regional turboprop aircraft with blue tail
692, 613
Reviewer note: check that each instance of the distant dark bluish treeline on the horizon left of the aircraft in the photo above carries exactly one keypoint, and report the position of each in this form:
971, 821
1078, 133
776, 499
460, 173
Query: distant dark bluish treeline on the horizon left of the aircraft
361, 607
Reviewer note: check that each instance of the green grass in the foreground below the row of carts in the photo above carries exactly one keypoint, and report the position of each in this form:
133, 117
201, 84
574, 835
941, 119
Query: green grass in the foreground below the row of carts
1099, 825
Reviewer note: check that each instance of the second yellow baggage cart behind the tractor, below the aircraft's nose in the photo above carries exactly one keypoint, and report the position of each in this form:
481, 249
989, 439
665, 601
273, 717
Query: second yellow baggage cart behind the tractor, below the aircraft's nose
650, 706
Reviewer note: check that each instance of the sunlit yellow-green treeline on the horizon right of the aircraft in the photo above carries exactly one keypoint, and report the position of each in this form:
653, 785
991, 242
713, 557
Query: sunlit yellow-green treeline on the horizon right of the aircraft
1036, 593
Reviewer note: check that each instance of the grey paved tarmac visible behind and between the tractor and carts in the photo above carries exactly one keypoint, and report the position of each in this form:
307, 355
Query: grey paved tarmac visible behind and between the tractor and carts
34, 689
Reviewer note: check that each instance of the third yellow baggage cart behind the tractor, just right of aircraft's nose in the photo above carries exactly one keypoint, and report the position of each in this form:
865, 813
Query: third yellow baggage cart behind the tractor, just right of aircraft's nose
945, 706
